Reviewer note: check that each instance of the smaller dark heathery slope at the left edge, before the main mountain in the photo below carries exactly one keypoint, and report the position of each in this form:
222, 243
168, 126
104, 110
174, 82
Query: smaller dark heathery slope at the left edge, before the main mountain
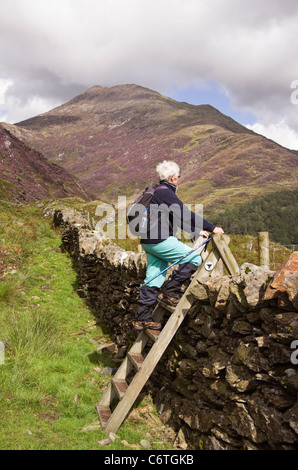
26, 175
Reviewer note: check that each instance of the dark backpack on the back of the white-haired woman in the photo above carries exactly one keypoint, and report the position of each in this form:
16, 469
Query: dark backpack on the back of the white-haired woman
140, 207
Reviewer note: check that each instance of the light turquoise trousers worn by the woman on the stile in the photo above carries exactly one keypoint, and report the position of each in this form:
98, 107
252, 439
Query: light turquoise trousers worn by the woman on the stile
160, 255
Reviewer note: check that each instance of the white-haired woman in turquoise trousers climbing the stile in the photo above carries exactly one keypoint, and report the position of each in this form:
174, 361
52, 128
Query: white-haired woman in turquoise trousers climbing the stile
162, 247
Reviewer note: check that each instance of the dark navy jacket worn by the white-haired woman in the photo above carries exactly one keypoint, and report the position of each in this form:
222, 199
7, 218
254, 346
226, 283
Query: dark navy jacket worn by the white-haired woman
164, 223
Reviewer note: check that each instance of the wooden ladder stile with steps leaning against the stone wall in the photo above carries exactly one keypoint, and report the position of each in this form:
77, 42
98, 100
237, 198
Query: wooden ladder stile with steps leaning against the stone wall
144, 365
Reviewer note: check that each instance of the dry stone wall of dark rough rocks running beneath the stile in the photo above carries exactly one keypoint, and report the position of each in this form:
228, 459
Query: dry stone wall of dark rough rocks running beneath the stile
229, 378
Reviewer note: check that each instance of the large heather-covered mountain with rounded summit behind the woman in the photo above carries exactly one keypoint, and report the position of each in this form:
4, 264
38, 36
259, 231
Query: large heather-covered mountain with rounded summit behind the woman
112, 138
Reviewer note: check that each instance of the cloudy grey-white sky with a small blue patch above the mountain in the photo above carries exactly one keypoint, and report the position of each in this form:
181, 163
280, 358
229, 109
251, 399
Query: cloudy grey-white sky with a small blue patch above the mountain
241, 56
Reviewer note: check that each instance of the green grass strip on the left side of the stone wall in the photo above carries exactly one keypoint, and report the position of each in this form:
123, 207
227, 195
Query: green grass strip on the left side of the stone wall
49, 385
